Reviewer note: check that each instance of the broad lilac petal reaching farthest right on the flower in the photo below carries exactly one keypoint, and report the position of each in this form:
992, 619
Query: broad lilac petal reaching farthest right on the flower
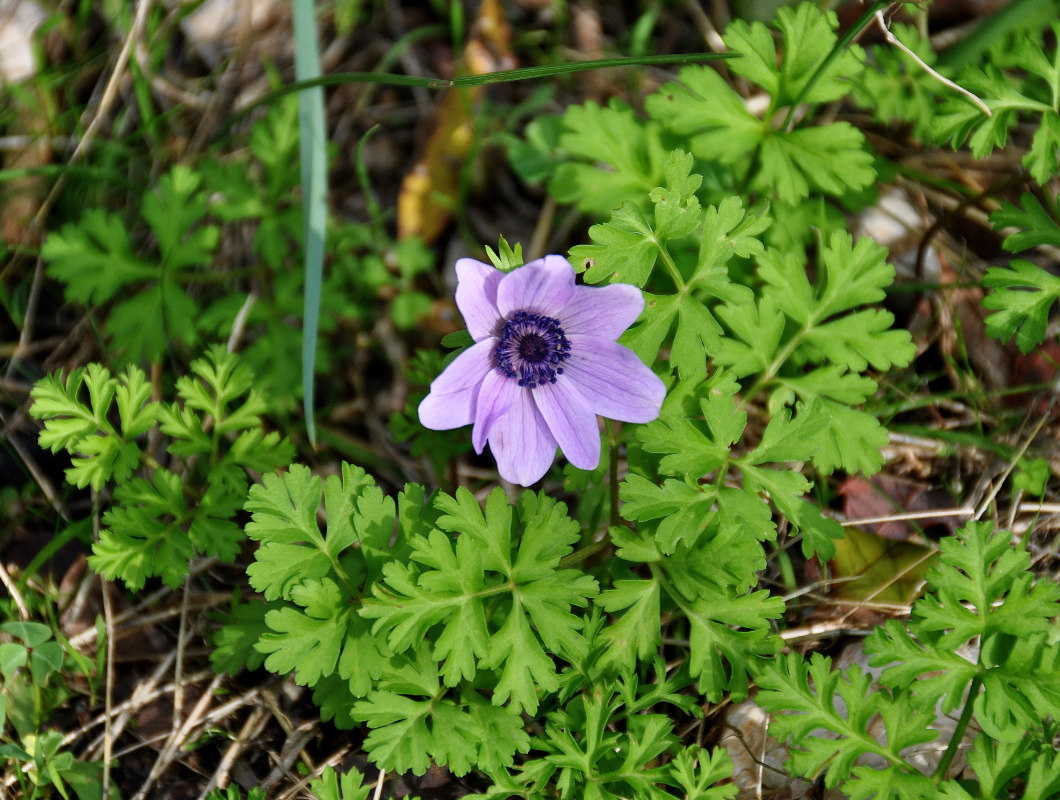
614, 382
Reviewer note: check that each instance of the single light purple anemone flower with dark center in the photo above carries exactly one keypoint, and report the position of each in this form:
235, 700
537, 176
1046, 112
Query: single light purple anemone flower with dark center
545, 363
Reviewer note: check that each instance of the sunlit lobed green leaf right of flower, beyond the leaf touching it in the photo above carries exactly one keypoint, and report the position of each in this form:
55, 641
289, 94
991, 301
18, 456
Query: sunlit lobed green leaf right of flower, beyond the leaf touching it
796, 324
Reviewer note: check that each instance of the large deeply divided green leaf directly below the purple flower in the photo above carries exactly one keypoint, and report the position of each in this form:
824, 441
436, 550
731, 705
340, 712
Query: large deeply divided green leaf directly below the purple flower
485, 606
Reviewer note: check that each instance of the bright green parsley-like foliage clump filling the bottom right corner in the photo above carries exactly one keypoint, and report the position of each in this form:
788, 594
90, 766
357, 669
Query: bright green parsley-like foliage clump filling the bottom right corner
982, 639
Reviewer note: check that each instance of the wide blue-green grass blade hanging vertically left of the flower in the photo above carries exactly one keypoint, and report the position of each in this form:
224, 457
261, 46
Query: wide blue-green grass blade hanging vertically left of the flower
313, 150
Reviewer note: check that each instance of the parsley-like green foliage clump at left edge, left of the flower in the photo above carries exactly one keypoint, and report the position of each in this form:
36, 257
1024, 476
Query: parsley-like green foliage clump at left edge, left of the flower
161, 515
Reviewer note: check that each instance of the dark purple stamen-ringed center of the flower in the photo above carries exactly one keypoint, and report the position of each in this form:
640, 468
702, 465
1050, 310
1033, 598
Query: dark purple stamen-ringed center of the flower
532, 349
